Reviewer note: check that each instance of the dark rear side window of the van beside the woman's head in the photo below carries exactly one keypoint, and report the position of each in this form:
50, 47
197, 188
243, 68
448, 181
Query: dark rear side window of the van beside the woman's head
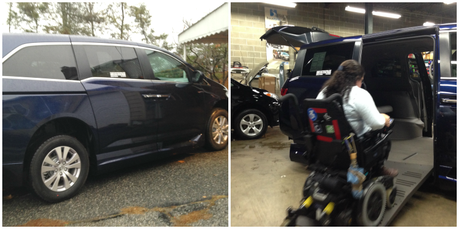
324, 60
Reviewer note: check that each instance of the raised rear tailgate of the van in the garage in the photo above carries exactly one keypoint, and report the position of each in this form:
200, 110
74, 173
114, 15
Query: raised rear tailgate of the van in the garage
295, 36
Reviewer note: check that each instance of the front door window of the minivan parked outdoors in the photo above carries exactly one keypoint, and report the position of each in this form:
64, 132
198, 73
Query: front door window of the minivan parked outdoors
166, 67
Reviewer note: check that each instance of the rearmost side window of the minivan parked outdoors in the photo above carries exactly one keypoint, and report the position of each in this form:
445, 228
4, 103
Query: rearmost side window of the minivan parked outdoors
46, 61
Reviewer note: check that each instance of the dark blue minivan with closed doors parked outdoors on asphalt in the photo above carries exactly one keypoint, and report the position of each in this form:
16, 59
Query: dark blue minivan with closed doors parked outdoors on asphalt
72, 104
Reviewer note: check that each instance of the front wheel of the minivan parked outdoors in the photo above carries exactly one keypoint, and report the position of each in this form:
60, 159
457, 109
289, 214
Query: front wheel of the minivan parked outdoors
217, 130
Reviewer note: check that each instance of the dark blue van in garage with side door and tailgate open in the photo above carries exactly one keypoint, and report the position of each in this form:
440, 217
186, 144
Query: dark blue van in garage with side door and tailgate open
422, 102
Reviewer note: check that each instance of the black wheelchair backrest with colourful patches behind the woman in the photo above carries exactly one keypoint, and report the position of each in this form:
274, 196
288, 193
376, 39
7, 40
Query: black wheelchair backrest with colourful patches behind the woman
328, 123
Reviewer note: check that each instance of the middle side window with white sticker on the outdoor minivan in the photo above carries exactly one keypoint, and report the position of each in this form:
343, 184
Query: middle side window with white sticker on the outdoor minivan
115, 62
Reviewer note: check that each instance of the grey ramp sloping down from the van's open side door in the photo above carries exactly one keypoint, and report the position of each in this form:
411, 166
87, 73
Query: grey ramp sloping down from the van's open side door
414, 160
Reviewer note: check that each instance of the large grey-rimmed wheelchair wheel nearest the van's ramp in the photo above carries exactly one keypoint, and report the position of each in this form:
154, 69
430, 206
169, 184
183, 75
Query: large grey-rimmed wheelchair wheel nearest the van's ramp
373, 205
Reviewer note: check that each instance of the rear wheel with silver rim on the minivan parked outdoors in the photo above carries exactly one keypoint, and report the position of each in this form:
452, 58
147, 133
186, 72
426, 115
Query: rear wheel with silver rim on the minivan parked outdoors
59, 168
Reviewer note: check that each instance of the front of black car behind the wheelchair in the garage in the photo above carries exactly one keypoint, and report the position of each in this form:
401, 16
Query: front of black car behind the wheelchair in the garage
252, 110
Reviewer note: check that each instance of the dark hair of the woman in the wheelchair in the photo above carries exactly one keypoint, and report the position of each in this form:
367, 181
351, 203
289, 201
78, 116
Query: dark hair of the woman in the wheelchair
344, 78
